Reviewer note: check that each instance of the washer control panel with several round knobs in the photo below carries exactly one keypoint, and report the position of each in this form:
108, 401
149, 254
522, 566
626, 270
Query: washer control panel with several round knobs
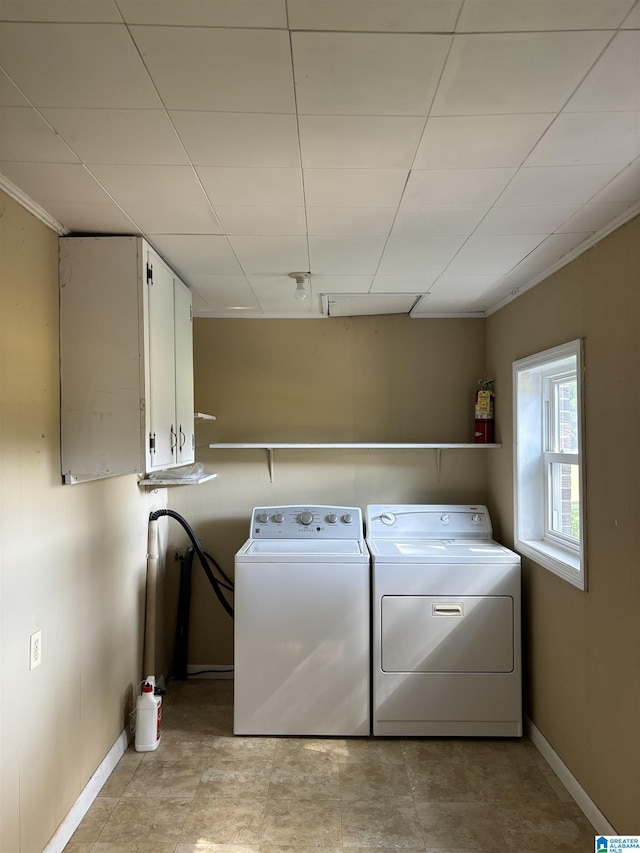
293, 522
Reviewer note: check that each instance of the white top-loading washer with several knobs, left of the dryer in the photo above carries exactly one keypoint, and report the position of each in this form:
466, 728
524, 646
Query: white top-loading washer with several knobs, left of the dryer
302, 624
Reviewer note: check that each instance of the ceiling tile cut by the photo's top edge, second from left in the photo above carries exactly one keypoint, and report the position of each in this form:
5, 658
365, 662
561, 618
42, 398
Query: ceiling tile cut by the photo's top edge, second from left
204, 13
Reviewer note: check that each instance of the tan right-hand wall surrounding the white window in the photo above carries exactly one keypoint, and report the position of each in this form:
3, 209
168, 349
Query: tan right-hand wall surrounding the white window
583, 648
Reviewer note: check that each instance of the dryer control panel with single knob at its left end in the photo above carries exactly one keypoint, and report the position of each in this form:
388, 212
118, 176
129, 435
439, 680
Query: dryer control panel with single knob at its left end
428, 521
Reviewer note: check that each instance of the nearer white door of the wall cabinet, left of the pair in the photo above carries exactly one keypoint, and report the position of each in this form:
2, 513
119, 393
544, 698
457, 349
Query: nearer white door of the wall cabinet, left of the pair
162, 434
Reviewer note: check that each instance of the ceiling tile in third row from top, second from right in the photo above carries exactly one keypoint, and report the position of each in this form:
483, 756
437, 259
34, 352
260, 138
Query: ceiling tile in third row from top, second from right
479, 142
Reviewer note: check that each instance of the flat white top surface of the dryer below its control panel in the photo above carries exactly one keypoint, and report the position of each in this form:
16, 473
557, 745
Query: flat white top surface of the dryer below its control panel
439, 551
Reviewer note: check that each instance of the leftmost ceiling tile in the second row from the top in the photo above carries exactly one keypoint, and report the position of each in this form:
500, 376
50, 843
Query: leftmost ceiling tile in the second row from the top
76, 65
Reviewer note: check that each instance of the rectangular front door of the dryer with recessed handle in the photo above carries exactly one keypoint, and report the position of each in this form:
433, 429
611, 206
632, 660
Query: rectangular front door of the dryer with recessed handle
424, 633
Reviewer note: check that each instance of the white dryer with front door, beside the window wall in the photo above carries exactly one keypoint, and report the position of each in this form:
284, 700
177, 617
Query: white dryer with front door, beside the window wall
446, 623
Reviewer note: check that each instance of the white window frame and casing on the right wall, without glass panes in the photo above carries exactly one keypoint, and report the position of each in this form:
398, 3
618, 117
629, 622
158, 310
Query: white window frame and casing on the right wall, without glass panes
533, 412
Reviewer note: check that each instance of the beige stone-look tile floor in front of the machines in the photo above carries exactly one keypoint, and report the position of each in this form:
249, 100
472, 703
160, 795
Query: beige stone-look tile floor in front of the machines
205, 791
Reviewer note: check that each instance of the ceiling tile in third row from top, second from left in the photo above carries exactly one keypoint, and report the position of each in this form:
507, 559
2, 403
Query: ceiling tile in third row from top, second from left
119, 136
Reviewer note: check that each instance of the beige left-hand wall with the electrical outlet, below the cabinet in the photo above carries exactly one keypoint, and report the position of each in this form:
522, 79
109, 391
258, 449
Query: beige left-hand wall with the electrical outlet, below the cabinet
72, 564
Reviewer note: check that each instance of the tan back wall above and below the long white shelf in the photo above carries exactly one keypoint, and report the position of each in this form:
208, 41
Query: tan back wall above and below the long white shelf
378, 379
